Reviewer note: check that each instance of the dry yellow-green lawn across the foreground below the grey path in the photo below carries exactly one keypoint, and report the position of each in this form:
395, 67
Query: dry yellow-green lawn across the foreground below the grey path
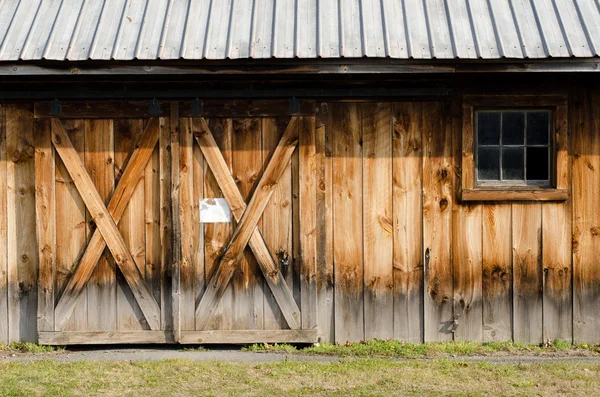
352, 376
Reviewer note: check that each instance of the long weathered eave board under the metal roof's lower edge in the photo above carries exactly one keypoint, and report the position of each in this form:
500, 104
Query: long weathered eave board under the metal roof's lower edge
361, 66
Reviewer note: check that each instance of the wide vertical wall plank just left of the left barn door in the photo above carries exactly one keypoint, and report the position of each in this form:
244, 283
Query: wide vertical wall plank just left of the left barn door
22, 246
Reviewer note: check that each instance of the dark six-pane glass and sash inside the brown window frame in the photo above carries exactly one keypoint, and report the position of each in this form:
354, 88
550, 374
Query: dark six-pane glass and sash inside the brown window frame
513, 147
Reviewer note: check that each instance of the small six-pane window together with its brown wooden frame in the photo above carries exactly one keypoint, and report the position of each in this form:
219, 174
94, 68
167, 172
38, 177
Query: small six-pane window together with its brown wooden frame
514, 148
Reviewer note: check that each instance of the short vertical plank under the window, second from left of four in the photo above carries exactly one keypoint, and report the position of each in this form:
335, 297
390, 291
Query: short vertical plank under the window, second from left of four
497, 272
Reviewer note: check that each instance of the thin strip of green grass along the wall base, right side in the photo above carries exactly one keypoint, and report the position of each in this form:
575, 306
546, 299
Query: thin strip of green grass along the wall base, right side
397, 349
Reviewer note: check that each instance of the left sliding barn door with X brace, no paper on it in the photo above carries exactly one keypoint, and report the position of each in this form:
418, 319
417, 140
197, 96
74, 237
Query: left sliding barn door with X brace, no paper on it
103, 209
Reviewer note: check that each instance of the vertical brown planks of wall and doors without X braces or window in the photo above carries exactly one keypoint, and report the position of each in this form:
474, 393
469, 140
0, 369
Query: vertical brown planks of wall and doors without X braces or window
367, 213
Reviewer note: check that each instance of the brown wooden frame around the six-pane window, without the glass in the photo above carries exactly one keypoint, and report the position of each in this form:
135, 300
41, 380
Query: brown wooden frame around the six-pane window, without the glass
558, 188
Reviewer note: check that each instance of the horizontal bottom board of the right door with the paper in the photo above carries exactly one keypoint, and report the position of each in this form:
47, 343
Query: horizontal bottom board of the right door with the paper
252, 336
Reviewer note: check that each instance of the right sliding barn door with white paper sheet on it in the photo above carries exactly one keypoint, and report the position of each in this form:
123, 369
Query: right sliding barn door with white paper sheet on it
247, 275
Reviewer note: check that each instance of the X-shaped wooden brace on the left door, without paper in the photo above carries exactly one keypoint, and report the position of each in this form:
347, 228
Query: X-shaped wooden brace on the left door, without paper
106, 220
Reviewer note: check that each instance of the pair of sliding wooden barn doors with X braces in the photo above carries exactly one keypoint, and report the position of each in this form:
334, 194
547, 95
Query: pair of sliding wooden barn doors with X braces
124, 254
